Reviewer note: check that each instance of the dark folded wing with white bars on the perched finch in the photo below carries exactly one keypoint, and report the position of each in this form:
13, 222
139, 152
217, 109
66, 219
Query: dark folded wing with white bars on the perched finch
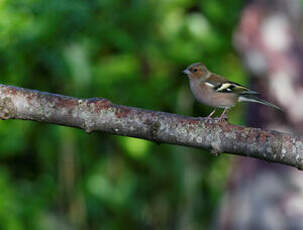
222, 85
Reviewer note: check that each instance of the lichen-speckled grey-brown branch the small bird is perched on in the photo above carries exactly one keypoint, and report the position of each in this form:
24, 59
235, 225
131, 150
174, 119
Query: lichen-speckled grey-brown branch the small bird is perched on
98, 114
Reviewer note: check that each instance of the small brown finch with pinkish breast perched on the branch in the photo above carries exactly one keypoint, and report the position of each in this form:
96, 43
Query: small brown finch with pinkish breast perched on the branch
218, 92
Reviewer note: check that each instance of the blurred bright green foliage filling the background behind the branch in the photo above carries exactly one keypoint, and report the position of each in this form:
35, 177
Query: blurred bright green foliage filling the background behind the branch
131, 52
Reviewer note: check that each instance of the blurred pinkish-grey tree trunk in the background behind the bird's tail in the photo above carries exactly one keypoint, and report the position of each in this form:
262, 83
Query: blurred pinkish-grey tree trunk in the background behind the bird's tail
262, 195
